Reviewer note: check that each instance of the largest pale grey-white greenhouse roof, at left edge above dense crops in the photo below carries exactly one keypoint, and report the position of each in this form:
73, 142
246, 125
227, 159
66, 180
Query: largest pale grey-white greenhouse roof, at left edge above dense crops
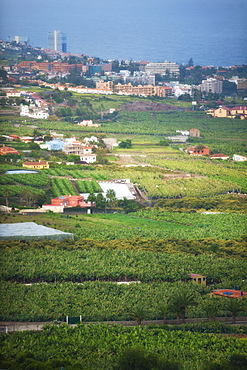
31, 230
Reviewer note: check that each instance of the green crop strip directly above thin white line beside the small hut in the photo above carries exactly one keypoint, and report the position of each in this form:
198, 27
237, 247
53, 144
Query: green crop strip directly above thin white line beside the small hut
78, 265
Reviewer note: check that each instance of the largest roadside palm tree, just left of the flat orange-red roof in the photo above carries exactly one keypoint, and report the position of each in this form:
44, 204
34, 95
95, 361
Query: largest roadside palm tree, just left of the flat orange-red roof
180, 302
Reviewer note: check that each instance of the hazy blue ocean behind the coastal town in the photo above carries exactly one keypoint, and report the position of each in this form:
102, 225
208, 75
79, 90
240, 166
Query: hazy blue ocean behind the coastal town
212, 32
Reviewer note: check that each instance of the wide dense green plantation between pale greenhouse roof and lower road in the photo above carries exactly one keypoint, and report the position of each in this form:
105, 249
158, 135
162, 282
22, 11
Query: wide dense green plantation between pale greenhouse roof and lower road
81, 278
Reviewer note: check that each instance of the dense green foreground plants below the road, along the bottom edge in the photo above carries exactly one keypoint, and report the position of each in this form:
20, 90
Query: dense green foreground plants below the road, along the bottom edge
118, 348
